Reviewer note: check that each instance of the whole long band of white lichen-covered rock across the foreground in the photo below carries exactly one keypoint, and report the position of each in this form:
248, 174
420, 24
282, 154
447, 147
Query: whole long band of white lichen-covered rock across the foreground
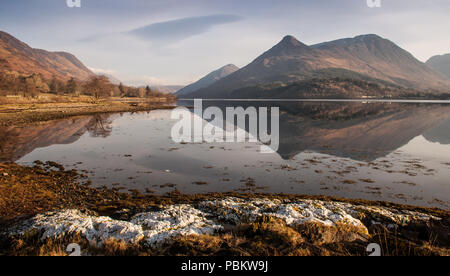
207, 217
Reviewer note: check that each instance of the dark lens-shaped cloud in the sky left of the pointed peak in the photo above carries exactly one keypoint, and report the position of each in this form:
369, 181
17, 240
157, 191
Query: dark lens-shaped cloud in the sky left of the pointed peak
180, 29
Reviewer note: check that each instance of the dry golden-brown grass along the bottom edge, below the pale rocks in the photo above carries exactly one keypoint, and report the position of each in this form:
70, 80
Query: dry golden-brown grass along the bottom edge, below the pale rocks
266, 237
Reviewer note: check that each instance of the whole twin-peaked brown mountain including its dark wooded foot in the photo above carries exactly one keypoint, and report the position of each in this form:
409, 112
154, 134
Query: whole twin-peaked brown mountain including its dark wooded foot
366, 64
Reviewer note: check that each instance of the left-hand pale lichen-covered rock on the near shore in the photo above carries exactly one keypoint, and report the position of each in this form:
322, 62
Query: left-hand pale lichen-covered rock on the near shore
154, 228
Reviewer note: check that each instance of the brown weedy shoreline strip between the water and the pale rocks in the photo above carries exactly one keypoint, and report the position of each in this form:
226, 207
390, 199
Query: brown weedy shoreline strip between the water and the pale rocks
52, 177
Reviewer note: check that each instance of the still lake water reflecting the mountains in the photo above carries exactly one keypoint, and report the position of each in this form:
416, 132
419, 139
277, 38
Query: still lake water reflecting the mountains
390, 151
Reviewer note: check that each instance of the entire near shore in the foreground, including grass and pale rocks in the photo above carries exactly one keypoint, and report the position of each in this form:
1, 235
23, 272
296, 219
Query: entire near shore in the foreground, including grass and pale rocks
28, 194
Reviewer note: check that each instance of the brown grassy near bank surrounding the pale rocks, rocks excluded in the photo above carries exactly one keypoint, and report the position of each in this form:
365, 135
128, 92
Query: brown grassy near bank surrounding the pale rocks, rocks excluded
27, 191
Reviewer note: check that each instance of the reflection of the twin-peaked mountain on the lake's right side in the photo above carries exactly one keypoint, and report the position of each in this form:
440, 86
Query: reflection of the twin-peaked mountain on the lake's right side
360, 131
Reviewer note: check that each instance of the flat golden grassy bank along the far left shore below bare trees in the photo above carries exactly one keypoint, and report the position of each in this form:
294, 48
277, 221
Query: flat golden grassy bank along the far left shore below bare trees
16, 111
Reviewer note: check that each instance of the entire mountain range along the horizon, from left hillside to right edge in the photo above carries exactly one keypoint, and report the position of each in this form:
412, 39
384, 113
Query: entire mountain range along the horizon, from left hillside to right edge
363, 66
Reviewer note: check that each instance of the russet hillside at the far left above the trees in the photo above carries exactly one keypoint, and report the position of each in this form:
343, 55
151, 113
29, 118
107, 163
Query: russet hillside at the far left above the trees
16, 56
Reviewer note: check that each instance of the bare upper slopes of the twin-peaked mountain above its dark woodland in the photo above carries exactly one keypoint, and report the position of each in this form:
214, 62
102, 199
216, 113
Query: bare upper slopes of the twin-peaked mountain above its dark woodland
368, 57
